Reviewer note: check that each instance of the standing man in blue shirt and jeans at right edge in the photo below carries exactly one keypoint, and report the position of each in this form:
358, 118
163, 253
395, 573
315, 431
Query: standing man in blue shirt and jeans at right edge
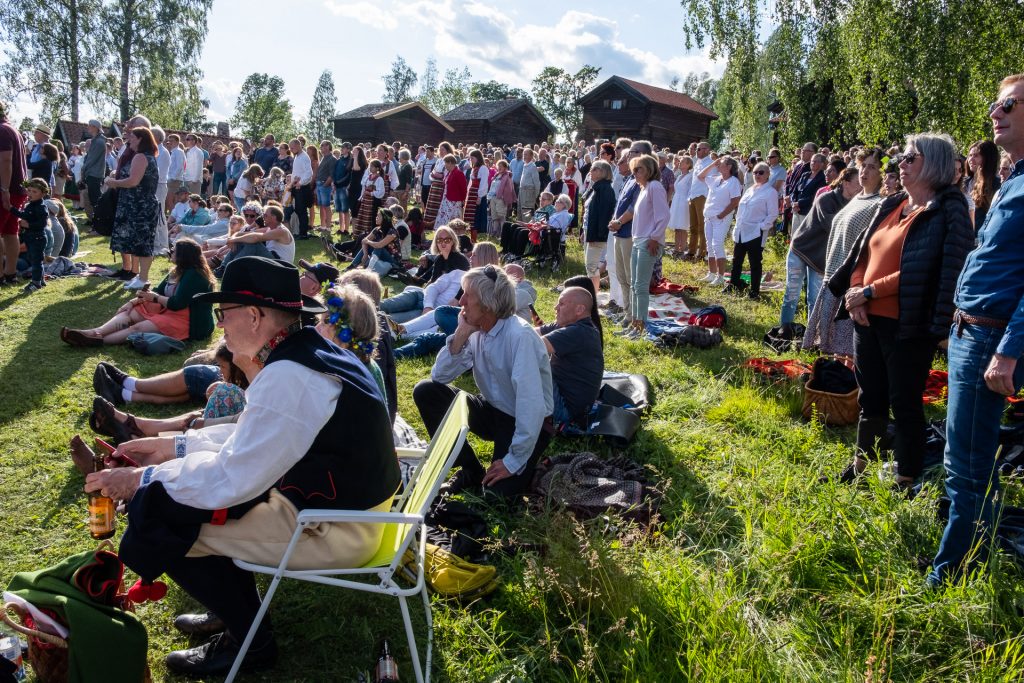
986, 346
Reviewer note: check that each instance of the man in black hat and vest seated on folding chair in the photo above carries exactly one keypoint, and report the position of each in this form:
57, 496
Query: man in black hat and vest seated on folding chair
315, 434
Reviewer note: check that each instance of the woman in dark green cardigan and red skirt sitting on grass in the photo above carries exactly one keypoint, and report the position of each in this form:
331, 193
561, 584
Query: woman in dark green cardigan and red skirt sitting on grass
169, 310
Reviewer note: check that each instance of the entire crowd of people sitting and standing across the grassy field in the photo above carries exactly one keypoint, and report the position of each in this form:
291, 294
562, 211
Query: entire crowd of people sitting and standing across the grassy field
899, 253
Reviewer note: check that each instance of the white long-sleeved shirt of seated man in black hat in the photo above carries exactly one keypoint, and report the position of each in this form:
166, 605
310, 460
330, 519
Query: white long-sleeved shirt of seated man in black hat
286, 408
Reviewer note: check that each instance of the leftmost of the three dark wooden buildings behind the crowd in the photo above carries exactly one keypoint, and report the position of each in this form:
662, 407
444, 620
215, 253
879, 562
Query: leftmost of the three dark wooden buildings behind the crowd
411, 123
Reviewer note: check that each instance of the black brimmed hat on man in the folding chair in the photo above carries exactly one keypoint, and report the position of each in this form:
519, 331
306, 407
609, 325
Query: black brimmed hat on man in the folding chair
257, 281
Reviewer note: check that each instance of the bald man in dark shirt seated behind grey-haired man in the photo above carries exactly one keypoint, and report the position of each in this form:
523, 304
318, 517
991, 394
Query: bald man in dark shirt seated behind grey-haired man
577, 357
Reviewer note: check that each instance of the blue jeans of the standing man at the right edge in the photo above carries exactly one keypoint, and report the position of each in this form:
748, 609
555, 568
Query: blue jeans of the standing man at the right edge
973, 417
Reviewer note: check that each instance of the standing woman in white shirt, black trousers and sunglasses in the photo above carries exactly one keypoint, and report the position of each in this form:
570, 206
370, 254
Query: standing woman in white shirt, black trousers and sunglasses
756, 215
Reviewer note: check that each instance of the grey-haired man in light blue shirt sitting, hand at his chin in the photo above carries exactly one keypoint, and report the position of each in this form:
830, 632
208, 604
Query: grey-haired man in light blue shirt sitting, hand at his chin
513, 371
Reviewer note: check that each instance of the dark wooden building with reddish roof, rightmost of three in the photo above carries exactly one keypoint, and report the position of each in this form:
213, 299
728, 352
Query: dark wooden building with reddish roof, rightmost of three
621, 108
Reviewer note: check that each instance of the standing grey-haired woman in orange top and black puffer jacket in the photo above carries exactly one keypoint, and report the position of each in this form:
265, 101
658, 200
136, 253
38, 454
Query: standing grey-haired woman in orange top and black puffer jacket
898, 285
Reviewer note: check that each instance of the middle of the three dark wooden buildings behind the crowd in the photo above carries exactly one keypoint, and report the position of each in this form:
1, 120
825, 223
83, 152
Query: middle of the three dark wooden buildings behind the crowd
500, 122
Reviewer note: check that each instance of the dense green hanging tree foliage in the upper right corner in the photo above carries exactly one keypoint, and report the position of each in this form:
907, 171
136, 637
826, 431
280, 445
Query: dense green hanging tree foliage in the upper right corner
869, 71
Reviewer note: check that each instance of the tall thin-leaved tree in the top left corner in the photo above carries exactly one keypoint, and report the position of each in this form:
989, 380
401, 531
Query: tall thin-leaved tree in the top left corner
52, 52
